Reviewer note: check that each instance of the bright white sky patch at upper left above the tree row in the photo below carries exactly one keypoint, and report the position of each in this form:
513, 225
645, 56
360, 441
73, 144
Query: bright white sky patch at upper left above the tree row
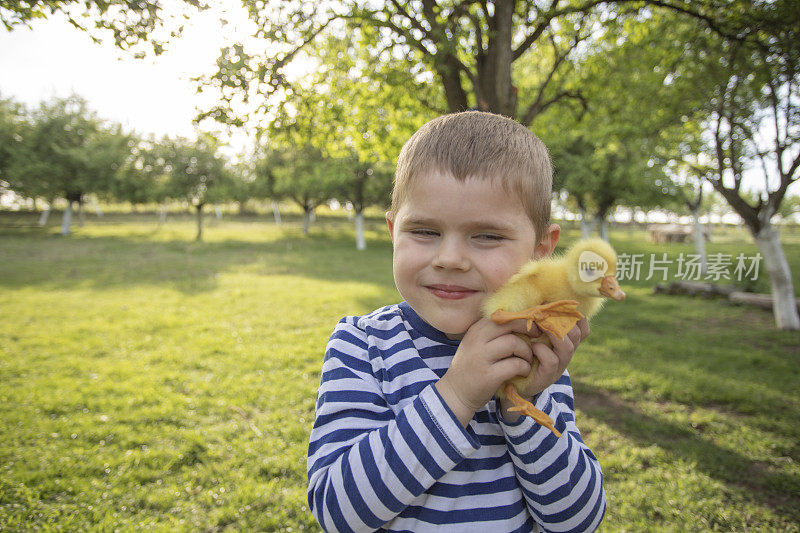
150, 95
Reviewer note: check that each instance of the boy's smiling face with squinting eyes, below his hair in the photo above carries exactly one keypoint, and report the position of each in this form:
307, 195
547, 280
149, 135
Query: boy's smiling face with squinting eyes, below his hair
457, 242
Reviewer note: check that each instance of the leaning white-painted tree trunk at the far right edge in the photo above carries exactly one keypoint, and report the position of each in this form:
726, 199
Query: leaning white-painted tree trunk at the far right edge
784, 306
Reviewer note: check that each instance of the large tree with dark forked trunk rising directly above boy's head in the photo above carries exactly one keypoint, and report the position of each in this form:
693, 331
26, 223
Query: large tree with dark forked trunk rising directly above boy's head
472, 52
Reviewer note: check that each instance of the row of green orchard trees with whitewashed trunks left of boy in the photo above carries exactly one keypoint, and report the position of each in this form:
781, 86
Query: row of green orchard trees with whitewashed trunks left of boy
63, 150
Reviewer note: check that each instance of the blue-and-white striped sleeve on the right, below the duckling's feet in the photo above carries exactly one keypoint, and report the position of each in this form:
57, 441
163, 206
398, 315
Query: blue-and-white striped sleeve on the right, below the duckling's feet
560, 478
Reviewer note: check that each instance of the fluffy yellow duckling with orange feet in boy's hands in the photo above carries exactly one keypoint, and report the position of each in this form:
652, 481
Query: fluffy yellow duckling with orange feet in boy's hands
554, 293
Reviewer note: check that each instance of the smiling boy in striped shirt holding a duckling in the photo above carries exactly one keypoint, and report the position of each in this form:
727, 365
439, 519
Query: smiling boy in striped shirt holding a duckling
407, 436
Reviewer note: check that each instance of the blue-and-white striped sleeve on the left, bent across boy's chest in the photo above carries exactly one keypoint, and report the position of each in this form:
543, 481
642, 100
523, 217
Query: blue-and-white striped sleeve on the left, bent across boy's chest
366, 462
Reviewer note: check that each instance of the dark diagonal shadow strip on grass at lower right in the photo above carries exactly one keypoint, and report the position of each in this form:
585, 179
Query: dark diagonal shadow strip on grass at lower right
776, 490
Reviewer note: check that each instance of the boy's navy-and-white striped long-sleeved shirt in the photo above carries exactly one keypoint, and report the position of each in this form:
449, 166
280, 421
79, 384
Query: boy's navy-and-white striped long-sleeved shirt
386, 453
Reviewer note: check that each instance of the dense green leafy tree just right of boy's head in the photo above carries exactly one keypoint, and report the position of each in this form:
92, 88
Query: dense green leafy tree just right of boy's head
605, 151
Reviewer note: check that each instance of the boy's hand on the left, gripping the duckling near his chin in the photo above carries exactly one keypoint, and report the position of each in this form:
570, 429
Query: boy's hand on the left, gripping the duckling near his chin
489, 354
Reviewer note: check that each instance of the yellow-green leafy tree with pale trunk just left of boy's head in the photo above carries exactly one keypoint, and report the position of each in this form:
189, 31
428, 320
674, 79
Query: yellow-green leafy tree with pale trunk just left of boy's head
350, 110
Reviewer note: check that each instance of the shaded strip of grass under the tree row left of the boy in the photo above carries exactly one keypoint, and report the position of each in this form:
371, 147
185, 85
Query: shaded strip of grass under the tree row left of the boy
155, 257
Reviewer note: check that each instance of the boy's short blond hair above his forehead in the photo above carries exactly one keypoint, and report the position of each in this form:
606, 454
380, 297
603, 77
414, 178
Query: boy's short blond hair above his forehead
480, 145
